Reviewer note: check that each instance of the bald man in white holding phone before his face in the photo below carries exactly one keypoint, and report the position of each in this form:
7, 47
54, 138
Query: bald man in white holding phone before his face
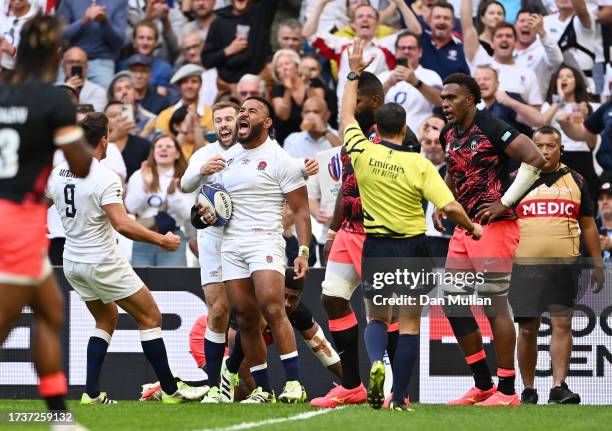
75, 67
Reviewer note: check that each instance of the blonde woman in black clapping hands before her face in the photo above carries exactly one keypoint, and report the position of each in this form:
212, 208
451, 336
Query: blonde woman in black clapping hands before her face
292, 89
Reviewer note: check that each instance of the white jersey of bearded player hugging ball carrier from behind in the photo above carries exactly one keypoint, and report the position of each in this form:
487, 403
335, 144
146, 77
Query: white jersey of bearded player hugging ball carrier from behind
192, 179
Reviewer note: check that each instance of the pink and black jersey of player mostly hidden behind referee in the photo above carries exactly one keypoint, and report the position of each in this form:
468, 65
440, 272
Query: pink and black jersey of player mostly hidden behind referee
351, 200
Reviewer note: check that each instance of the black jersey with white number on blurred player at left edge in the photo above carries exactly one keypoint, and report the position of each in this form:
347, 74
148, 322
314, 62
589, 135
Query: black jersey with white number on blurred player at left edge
29, 116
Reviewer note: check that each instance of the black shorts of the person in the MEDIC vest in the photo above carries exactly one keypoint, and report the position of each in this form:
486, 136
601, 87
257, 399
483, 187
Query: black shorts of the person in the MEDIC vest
535, 289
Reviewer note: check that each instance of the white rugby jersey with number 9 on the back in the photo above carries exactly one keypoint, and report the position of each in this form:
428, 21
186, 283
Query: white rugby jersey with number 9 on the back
90, 237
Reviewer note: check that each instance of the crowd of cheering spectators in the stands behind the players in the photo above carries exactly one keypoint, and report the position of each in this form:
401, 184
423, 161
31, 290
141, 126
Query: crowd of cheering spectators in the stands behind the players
156, 67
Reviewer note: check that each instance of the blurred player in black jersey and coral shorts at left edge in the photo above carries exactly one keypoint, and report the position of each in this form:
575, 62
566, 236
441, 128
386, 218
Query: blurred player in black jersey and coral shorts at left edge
35, 117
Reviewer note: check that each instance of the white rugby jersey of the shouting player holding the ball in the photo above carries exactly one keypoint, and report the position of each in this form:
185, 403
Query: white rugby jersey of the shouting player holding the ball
257, 181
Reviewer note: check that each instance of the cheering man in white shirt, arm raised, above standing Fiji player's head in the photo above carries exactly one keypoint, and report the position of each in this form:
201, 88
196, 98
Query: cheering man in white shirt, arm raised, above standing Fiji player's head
513, 78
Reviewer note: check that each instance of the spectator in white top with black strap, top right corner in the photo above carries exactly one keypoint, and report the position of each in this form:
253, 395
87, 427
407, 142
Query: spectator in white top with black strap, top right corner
578, 41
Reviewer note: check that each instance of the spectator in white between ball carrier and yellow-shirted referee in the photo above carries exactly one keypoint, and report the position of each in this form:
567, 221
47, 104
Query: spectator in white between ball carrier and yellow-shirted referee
323, 190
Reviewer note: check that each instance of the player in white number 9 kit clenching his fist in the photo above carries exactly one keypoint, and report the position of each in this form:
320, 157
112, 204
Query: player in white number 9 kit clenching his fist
90, 208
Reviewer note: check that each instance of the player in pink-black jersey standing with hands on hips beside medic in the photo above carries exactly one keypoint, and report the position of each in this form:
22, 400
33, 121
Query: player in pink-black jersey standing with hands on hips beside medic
479, 148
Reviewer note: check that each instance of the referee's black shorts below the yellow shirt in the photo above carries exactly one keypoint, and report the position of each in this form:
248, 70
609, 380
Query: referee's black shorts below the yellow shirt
391, 267
